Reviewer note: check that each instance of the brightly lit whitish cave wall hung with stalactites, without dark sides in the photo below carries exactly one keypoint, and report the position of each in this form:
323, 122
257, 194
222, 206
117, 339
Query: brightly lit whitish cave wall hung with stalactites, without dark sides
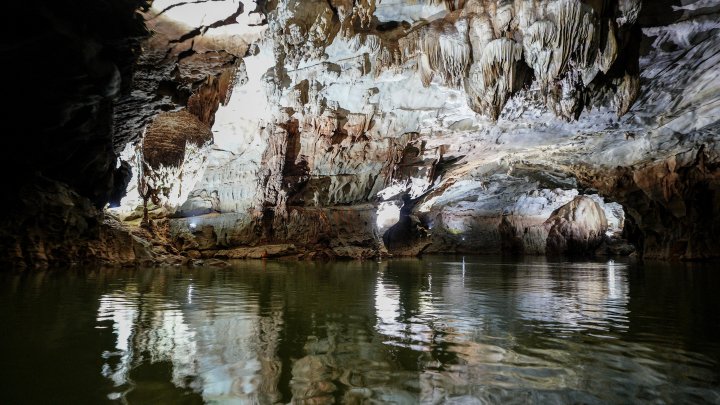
497, 102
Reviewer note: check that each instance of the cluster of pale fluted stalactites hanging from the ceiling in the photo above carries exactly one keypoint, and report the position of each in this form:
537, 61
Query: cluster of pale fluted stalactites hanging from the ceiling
560, 40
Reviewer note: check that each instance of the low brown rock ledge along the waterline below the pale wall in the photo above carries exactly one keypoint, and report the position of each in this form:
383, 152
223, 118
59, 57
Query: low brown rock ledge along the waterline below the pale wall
307, 232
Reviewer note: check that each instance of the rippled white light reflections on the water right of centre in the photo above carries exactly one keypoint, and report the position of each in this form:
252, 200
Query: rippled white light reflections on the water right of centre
467, 327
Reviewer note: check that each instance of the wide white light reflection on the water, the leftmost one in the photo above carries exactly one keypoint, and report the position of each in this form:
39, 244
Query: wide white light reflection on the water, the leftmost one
219, 348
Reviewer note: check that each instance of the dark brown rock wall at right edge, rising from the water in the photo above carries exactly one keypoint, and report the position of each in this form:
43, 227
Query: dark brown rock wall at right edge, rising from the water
673, 204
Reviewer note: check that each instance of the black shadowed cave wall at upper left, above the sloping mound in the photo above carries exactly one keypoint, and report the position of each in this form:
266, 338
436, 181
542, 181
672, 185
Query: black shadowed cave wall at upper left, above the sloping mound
69, 62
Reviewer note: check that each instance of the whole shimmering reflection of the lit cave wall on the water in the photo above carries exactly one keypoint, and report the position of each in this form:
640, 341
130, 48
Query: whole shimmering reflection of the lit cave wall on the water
413, 331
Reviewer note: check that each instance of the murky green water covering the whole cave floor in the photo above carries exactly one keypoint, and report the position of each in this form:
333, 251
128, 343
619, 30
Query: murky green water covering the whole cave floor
437, 330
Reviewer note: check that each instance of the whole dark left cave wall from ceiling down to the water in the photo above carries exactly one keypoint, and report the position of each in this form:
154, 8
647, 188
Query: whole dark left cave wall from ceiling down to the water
67, 63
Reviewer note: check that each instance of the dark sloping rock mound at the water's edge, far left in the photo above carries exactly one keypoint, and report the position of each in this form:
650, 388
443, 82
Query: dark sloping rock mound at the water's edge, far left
63, 228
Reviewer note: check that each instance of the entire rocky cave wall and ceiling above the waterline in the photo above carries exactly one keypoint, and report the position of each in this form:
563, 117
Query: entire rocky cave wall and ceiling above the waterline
489, 115
